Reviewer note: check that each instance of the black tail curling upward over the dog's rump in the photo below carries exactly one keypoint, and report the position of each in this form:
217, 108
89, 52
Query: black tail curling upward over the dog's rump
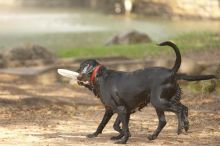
178, 55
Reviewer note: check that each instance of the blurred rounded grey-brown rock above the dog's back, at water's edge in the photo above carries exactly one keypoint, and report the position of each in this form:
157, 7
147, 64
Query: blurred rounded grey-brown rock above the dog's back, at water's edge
129, 37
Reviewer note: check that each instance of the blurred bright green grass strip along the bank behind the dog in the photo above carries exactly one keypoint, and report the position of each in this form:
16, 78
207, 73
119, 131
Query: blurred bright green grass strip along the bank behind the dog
186, 42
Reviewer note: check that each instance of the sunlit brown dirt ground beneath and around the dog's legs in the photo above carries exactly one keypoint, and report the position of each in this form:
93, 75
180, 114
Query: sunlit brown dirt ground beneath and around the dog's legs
61, 114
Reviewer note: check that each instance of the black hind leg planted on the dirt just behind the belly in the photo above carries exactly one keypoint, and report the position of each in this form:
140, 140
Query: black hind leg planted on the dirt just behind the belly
161, 124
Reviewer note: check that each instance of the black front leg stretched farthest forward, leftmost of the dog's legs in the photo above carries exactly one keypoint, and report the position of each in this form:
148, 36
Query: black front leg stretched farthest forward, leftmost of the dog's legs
107, 116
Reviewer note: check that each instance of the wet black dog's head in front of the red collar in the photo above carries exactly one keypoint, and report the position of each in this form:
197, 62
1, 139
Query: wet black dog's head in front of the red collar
86, 69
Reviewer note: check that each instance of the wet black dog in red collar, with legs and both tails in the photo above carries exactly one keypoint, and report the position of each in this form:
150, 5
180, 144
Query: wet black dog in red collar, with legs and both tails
124, 92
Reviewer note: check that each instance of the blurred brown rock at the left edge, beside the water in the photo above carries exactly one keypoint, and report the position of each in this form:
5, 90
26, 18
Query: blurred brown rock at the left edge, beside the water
29, 55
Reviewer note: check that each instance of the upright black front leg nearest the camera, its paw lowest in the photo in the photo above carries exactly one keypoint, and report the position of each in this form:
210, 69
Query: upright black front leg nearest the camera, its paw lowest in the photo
124, 116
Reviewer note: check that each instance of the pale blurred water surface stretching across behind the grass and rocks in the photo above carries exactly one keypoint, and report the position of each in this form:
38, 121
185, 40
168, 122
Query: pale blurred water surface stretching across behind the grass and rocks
71, 28
